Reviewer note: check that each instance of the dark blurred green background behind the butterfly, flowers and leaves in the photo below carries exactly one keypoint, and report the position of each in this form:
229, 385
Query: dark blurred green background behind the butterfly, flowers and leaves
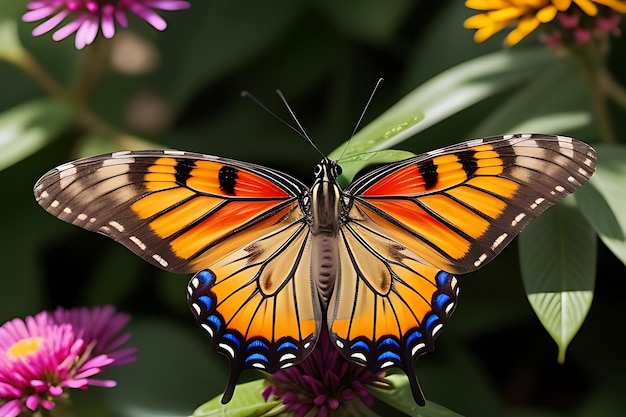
181, 89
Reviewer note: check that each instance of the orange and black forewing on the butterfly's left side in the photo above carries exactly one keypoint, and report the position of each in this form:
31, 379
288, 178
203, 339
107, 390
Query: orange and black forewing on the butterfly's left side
169, 207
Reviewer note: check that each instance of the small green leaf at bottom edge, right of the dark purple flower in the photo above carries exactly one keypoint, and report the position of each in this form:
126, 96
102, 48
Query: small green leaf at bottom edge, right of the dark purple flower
401, 398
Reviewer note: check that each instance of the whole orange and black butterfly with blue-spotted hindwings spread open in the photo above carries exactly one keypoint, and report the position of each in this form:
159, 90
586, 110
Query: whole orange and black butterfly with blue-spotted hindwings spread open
277, 262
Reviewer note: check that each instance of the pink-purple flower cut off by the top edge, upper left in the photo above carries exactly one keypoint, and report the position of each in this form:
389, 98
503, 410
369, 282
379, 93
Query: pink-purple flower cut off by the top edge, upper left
86, 17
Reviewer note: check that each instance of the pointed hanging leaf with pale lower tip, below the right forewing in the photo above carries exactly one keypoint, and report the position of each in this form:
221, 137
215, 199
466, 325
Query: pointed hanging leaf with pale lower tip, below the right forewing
558, 263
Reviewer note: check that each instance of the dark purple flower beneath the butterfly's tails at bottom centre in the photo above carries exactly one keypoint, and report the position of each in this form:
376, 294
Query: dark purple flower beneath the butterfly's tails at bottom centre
323, 382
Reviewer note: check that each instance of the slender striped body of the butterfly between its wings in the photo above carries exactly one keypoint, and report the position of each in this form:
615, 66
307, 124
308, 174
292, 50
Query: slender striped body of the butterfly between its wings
324, 226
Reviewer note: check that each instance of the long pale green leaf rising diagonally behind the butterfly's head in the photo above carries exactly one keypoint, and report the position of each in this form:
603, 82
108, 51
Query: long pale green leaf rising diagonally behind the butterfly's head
444, 95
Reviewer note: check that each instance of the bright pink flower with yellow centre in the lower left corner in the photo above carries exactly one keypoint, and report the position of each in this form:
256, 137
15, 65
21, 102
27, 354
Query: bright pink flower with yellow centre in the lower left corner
42, 356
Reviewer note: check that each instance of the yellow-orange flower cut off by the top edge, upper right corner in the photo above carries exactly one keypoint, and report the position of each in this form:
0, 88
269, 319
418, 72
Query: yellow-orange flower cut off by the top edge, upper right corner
527, 15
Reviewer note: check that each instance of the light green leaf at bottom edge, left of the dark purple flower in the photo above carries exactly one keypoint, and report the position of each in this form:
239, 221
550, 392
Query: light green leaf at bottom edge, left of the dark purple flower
246, 402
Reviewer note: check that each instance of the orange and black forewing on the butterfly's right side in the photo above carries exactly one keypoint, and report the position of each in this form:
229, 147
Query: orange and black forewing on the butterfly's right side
458, 207
